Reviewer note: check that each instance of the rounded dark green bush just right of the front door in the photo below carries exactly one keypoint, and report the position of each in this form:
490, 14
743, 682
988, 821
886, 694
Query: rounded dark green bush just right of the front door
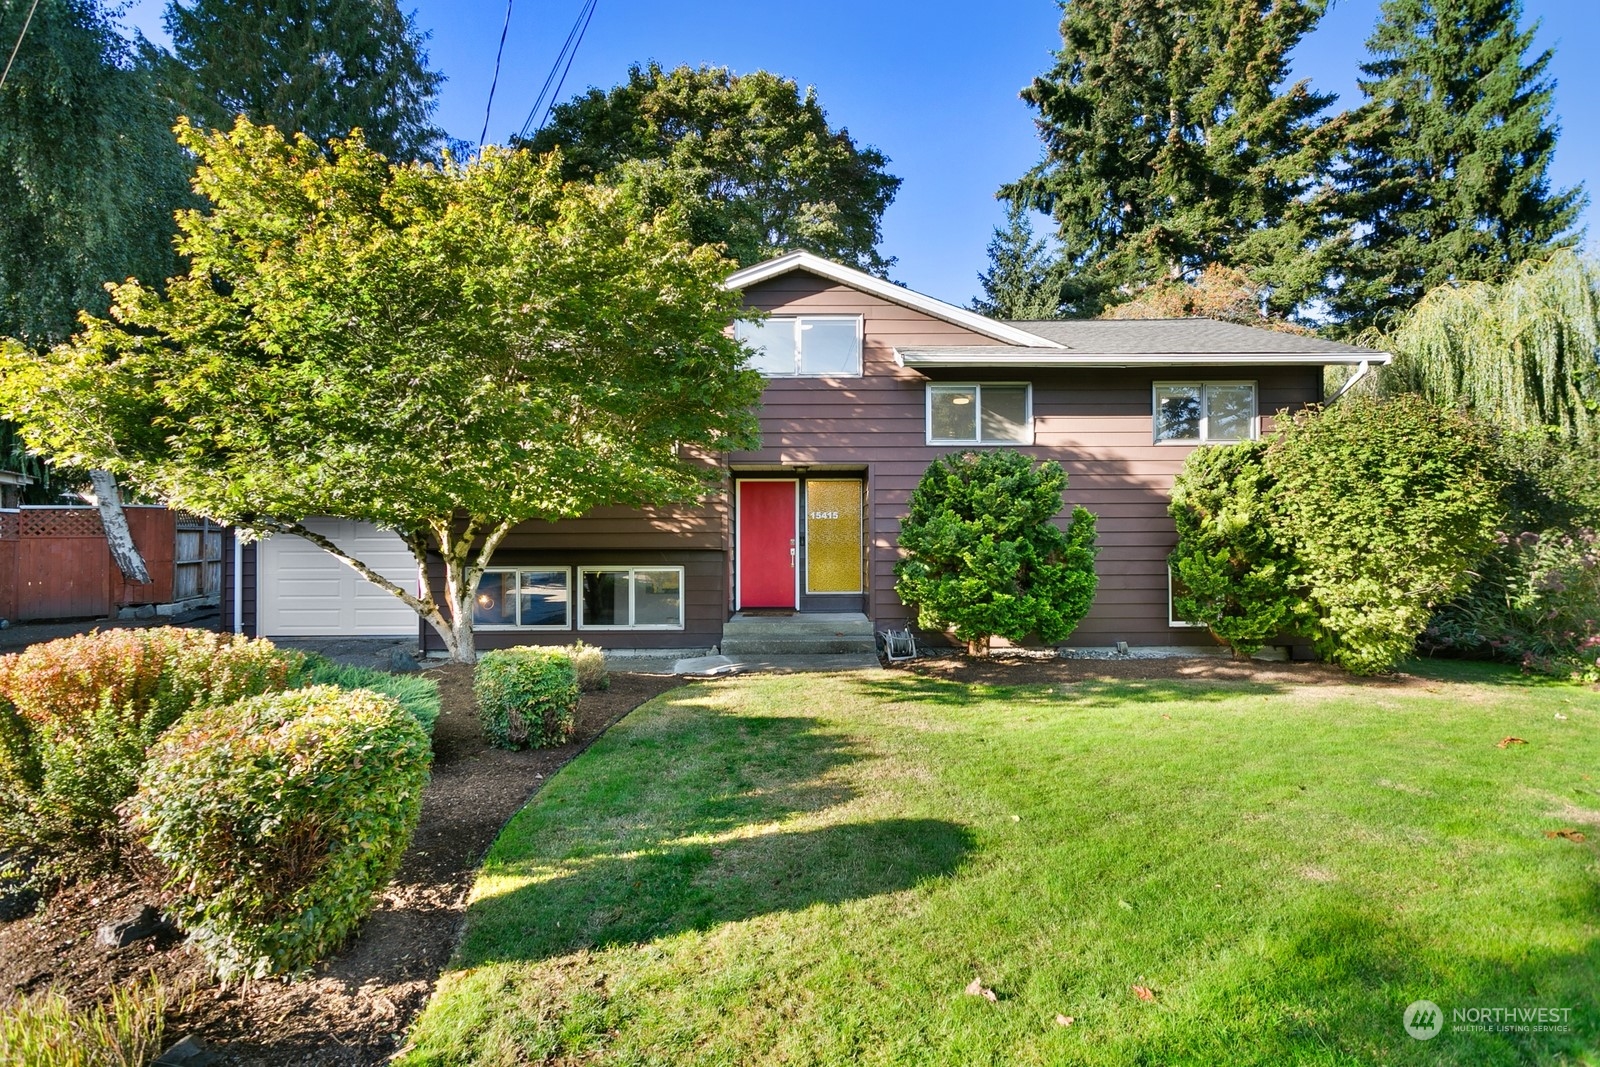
985, 556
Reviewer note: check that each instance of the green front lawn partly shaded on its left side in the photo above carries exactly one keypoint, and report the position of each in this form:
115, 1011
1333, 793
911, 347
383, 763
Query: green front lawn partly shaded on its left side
812, 869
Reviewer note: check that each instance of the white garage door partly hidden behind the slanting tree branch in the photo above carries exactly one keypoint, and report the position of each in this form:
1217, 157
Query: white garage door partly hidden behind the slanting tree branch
306, 593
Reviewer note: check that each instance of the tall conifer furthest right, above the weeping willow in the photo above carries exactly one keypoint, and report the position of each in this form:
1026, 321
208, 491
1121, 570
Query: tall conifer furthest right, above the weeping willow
1447, 177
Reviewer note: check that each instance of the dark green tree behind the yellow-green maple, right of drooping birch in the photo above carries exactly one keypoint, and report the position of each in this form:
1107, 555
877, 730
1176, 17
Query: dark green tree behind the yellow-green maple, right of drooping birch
321, 68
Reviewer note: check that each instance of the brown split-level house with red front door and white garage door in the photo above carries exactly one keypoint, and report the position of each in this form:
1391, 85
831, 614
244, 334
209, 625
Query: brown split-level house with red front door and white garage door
870, 383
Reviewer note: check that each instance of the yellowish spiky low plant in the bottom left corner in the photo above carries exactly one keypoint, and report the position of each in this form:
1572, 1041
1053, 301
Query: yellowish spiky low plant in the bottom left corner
46, 1031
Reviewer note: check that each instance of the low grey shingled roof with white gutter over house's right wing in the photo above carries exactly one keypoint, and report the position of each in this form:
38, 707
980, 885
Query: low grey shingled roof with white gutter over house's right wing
1148, 343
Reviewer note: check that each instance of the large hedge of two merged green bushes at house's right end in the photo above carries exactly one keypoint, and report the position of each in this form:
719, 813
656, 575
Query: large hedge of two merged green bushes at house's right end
1350, 526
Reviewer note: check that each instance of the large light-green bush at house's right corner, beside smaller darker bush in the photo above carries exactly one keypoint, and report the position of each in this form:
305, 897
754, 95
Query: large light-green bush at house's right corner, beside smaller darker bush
1385, 506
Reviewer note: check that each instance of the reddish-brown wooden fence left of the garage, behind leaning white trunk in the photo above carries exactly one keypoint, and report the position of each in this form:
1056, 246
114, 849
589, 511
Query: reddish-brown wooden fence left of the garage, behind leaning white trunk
55, 562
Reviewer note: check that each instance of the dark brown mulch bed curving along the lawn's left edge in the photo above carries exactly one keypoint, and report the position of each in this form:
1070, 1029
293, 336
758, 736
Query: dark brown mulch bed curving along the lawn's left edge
356, 1007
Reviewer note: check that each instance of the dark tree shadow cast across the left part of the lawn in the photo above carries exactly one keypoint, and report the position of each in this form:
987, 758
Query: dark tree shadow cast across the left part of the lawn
668, 826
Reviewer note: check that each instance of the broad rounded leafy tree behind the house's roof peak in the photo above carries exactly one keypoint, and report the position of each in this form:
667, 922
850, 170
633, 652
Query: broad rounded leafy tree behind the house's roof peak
750, 159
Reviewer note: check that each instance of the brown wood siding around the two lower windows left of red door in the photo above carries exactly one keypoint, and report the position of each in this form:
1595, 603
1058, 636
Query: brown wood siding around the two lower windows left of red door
705, 601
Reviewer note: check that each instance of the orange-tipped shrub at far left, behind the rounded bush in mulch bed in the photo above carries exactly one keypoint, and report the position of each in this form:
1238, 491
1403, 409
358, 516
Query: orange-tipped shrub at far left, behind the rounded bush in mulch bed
78, 716
